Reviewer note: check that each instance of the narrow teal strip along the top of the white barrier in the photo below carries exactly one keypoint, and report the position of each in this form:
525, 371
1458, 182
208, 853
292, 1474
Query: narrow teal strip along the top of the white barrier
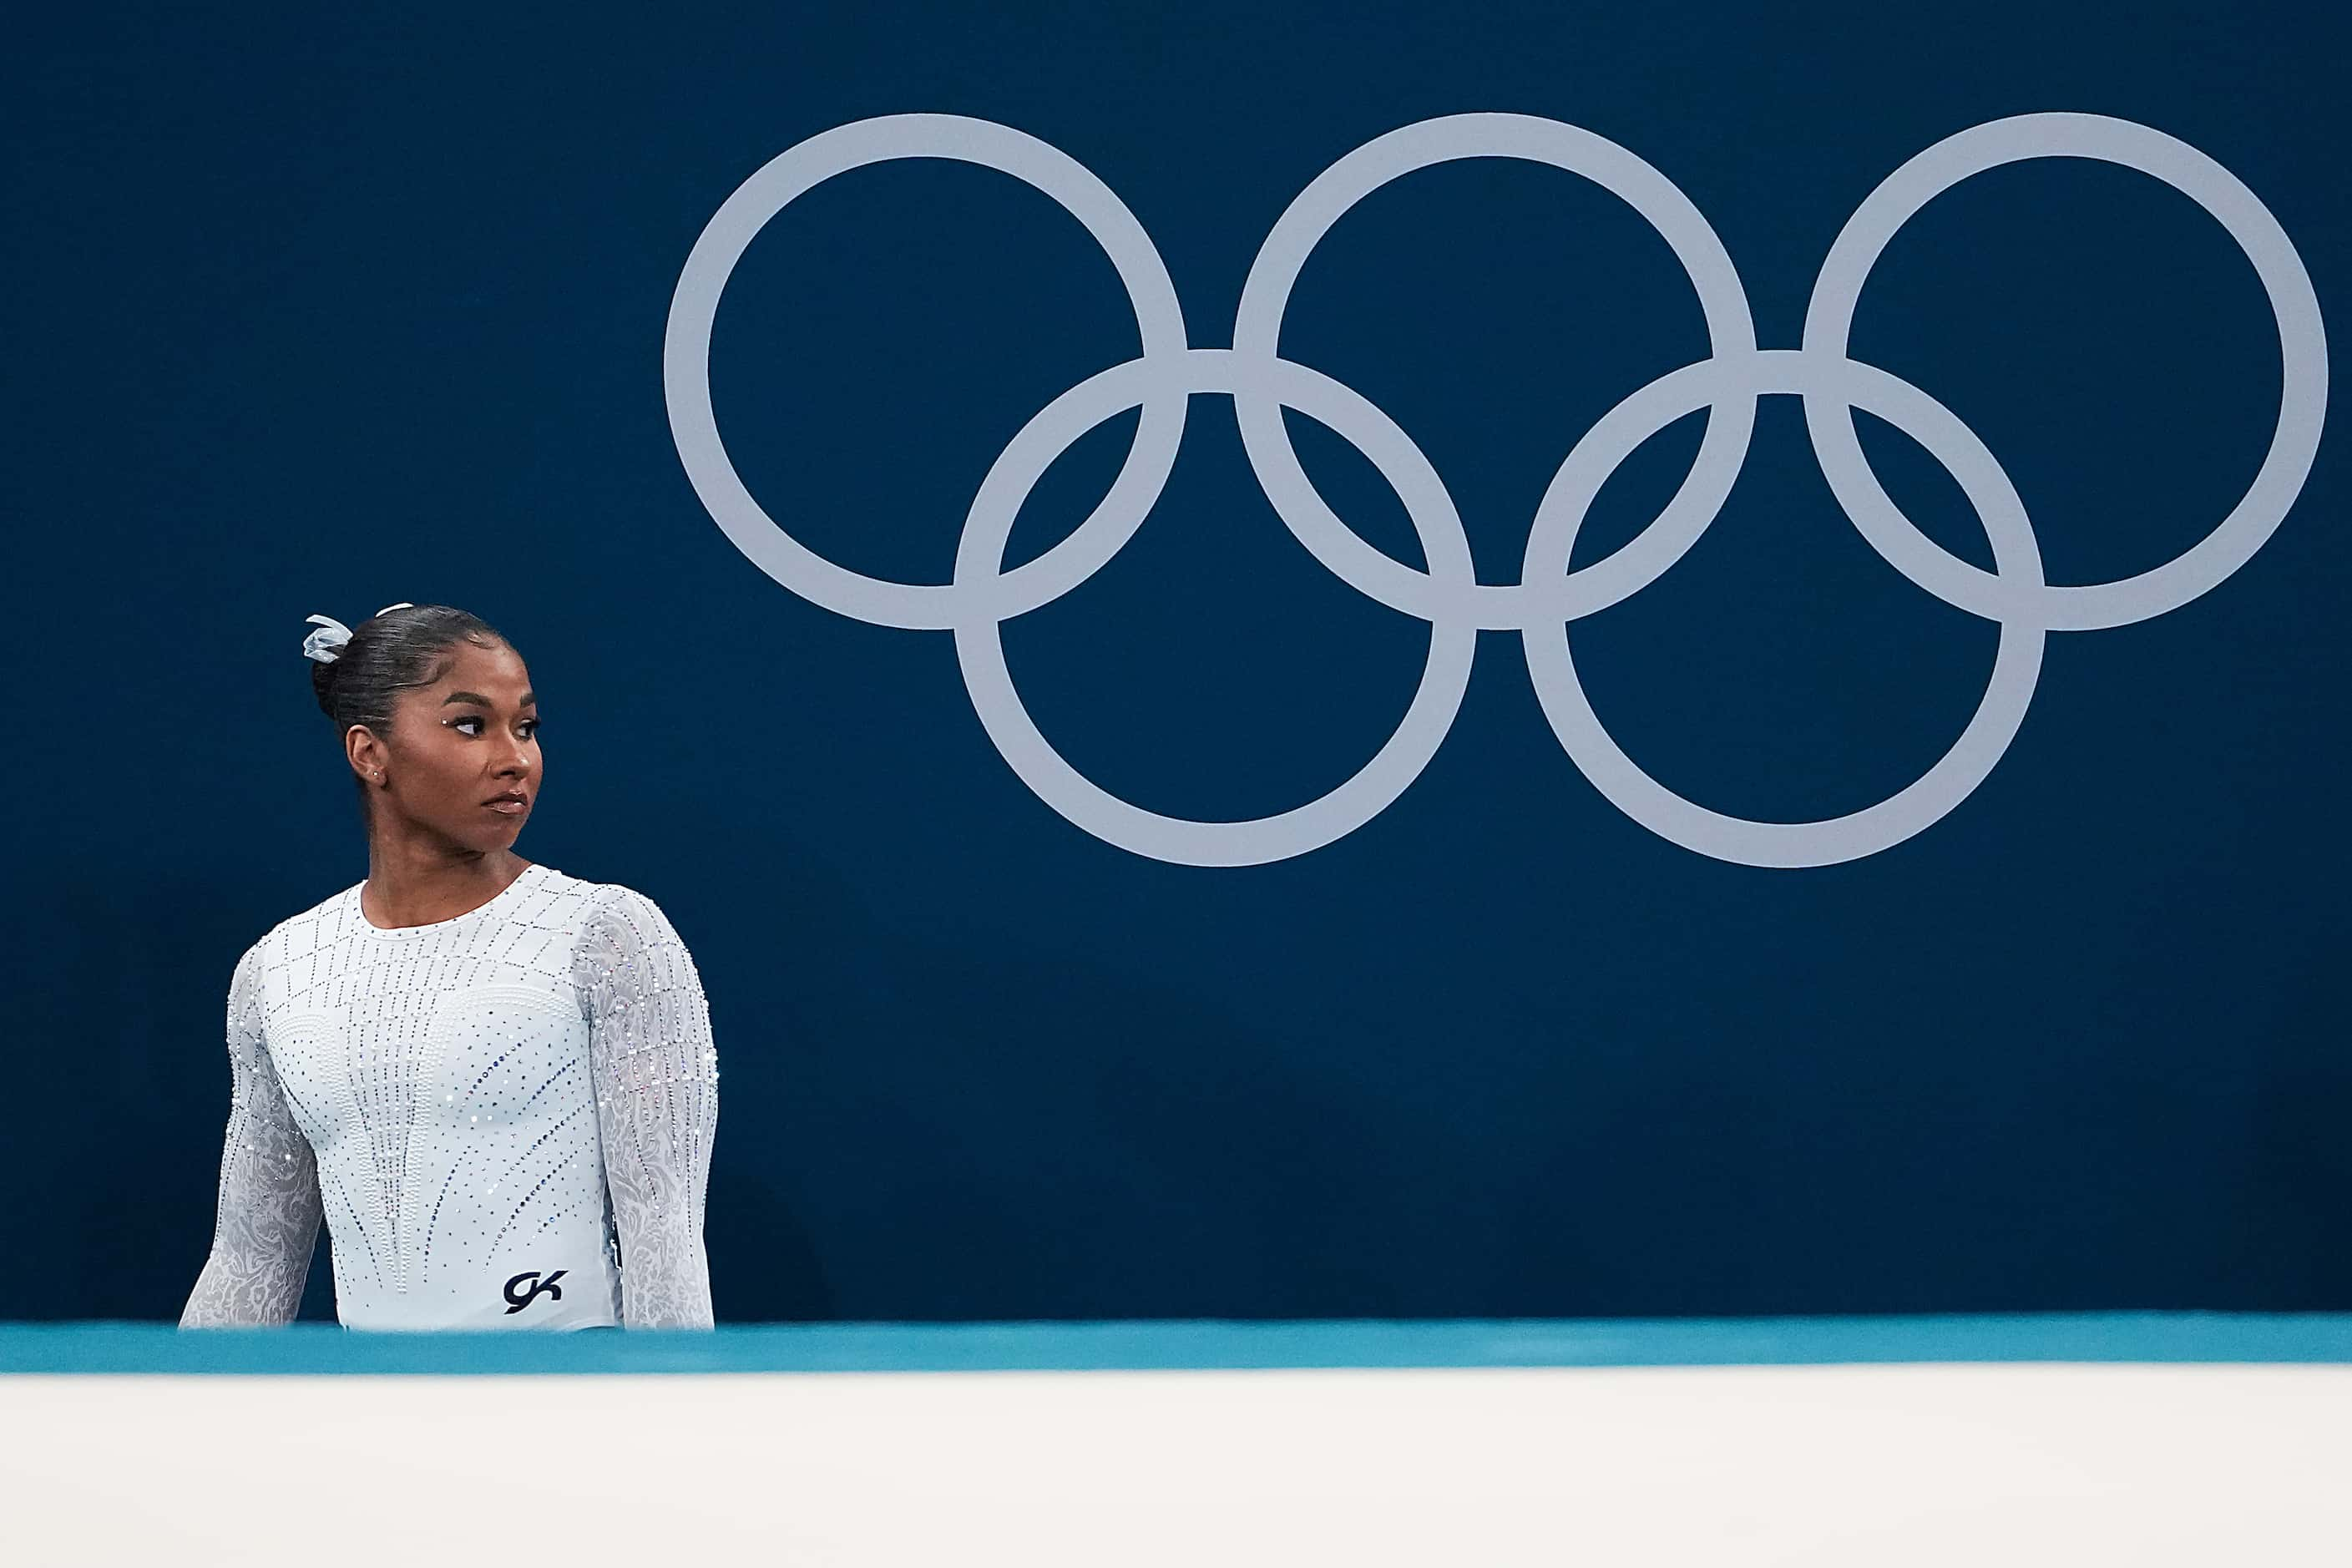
1187, 1346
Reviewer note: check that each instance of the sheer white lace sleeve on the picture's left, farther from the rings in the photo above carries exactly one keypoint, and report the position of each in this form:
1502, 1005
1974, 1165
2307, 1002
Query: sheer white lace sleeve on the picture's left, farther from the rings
267, 1219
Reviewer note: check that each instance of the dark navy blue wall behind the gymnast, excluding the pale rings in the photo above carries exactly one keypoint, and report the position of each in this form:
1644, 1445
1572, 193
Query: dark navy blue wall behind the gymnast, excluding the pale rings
314, 314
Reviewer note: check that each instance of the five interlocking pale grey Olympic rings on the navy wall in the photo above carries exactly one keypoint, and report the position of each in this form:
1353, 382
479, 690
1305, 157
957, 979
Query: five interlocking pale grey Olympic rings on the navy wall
1448, 596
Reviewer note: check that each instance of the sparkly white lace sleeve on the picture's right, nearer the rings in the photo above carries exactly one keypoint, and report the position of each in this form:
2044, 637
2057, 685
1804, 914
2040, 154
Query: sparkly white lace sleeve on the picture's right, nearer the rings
657, 1104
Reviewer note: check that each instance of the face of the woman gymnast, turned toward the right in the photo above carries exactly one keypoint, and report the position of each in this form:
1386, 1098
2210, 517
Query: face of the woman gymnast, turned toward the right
460, 744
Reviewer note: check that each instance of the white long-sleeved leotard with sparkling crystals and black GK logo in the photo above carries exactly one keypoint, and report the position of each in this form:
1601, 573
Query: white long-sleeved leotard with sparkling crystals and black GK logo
505, 1118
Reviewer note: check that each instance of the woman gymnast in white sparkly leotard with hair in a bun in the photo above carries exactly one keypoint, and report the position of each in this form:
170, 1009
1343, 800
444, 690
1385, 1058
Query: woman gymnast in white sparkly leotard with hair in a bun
495, 1080
